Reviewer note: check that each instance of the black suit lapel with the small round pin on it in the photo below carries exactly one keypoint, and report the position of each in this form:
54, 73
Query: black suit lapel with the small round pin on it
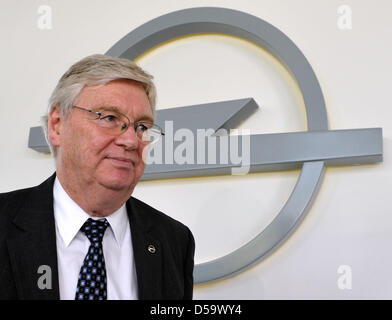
147, 253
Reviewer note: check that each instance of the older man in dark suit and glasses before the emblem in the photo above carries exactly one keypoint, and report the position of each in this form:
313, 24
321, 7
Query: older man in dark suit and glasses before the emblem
80, 234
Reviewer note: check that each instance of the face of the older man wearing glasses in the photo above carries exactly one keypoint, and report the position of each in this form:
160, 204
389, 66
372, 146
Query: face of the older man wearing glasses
88, 153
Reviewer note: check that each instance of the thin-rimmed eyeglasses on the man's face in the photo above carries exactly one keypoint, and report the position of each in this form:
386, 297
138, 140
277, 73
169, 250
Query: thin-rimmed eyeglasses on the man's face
117, 123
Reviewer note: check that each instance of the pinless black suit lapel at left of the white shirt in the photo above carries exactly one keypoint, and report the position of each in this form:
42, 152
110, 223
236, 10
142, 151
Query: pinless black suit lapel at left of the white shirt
32, 245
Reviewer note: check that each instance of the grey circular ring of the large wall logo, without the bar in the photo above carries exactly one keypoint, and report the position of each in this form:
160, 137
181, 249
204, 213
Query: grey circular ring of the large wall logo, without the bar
245, 26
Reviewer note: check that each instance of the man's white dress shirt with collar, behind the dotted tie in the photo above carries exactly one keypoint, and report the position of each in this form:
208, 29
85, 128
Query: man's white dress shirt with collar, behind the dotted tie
72, 247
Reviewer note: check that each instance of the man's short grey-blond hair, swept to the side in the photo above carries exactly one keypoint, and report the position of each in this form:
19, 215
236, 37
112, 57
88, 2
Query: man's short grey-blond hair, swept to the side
93, 70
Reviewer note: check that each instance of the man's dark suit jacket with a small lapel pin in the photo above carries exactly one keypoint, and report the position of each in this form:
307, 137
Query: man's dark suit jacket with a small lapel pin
28, 241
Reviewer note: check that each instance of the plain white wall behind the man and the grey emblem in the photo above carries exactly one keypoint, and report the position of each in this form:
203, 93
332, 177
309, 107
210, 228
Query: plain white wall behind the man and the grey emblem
350, 221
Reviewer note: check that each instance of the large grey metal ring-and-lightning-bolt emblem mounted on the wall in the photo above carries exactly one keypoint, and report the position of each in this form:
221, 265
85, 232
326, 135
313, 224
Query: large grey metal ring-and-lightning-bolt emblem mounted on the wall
311, 150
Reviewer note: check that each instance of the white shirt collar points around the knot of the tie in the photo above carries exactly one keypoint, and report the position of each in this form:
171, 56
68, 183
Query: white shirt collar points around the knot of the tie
70, 217
